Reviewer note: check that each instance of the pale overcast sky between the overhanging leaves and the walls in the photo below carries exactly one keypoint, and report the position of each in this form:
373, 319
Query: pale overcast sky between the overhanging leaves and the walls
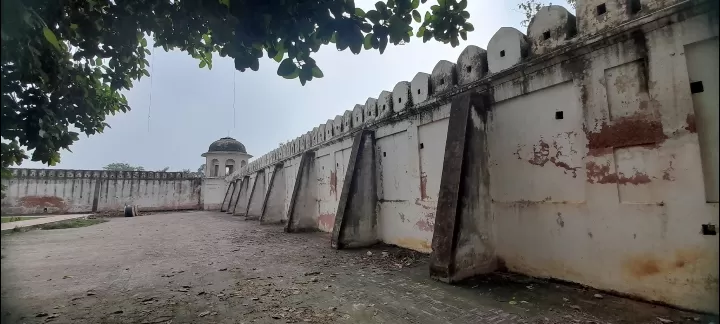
192, 107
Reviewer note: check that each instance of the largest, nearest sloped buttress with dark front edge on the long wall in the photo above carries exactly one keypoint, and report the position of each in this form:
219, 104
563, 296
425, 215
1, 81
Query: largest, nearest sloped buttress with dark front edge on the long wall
463, 244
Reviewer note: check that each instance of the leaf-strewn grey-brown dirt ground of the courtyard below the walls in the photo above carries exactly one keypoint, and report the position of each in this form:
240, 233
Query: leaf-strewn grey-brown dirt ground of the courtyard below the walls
210, 267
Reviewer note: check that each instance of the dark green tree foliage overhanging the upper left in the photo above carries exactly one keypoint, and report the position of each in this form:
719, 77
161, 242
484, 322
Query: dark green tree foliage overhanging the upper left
65, 63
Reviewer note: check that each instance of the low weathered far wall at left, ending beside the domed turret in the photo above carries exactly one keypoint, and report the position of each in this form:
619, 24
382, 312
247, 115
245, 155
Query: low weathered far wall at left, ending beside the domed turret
40, 191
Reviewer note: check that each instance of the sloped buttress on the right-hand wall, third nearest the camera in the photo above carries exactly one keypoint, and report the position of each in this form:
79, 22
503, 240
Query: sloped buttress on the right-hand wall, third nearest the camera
303, 212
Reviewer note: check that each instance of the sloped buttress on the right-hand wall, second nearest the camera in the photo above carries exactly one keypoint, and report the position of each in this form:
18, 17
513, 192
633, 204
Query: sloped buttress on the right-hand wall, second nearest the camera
356, 219
